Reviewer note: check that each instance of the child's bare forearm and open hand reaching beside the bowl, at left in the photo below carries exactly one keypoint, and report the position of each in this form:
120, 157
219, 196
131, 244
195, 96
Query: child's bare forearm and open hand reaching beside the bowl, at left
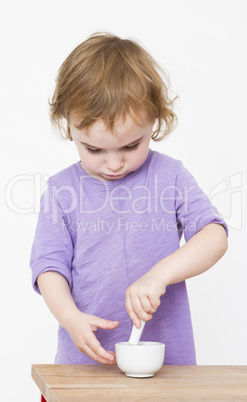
81, 327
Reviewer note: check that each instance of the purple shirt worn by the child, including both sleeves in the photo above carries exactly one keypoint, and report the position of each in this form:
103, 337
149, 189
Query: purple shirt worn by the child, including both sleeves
103, 235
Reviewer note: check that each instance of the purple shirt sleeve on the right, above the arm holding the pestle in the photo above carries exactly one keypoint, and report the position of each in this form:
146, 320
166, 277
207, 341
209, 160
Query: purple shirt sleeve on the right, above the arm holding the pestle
193, 208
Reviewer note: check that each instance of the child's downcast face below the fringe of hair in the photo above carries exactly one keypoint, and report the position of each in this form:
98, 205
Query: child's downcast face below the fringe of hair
111, 156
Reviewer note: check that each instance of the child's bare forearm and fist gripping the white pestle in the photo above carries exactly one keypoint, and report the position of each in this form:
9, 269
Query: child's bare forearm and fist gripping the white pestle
199, 254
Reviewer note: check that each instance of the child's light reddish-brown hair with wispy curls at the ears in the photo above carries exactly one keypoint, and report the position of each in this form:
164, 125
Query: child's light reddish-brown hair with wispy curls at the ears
107, 77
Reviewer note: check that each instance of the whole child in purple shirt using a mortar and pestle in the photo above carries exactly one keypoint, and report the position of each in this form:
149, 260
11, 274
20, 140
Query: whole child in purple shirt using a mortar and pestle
106, 250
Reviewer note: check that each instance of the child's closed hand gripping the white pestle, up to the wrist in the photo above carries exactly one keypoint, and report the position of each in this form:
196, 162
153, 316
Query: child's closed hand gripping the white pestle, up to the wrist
143, 298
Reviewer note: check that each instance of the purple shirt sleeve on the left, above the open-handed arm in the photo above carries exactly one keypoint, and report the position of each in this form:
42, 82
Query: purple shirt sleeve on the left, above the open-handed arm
52, 248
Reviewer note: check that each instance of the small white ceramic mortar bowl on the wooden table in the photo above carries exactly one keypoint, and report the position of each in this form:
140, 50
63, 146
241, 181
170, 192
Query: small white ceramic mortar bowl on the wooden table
142, 360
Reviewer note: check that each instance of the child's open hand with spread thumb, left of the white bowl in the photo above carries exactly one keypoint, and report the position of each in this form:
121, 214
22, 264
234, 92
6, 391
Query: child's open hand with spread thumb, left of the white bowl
81, 328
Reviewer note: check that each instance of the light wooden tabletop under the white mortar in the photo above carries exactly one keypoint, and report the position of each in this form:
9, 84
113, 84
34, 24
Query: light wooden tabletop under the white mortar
74, 383
